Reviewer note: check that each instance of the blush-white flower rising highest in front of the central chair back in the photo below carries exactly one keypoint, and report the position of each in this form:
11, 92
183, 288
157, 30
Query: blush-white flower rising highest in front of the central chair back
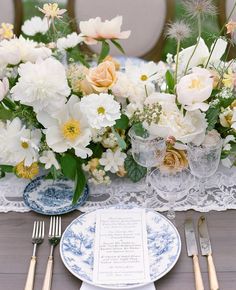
95, 29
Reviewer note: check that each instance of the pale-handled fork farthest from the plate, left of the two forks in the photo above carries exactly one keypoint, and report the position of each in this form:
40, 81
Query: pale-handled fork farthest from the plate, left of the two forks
37, 238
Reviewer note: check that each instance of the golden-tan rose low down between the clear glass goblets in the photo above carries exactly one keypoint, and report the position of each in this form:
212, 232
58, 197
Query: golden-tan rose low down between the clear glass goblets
174, 161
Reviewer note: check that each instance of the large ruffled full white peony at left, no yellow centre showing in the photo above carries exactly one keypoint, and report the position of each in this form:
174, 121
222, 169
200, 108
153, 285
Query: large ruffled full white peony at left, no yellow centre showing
42, 85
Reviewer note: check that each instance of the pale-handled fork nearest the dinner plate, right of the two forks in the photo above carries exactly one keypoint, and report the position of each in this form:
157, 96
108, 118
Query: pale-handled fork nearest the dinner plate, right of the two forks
54, 236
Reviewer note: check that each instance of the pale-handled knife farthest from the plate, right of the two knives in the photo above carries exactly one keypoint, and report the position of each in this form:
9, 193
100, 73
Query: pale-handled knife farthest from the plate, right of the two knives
206, 250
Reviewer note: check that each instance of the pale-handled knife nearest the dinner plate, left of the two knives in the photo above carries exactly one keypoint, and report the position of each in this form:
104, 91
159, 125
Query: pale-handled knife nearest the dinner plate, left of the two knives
193, 252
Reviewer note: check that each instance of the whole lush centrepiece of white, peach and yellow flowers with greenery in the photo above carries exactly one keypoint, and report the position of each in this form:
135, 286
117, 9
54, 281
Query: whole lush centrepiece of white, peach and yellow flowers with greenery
71, 116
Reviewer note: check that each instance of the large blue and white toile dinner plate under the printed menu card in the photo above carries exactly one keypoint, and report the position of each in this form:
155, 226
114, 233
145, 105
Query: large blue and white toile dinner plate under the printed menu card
76, 247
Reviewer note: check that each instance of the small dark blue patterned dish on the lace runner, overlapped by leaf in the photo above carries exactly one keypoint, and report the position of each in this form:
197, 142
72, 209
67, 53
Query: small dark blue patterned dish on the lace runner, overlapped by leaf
52, 197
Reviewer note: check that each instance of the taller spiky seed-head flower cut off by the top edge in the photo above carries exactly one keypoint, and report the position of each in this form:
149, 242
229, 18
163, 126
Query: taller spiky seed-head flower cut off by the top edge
196, 8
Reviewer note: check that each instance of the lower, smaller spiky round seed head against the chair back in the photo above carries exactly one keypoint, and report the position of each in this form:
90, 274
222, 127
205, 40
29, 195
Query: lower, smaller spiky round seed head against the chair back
178, 30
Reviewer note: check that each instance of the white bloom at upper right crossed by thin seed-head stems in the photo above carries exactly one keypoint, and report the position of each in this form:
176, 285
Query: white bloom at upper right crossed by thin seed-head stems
201, 54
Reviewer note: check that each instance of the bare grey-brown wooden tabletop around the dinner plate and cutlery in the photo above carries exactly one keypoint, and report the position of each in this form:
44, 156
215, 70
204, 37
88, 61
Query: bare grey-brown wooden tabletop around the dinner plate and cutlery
16, 249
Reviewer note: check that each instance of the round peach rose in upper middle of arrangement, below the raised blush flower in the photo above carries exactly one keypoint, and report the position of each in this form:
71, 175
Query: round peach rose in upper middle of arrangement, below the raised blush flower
102, 77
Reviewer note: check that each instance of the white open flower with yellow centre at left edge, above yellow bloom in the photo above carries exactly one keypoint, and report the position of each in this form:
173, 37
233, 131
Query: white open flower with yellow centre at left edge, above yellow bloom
18, 143
